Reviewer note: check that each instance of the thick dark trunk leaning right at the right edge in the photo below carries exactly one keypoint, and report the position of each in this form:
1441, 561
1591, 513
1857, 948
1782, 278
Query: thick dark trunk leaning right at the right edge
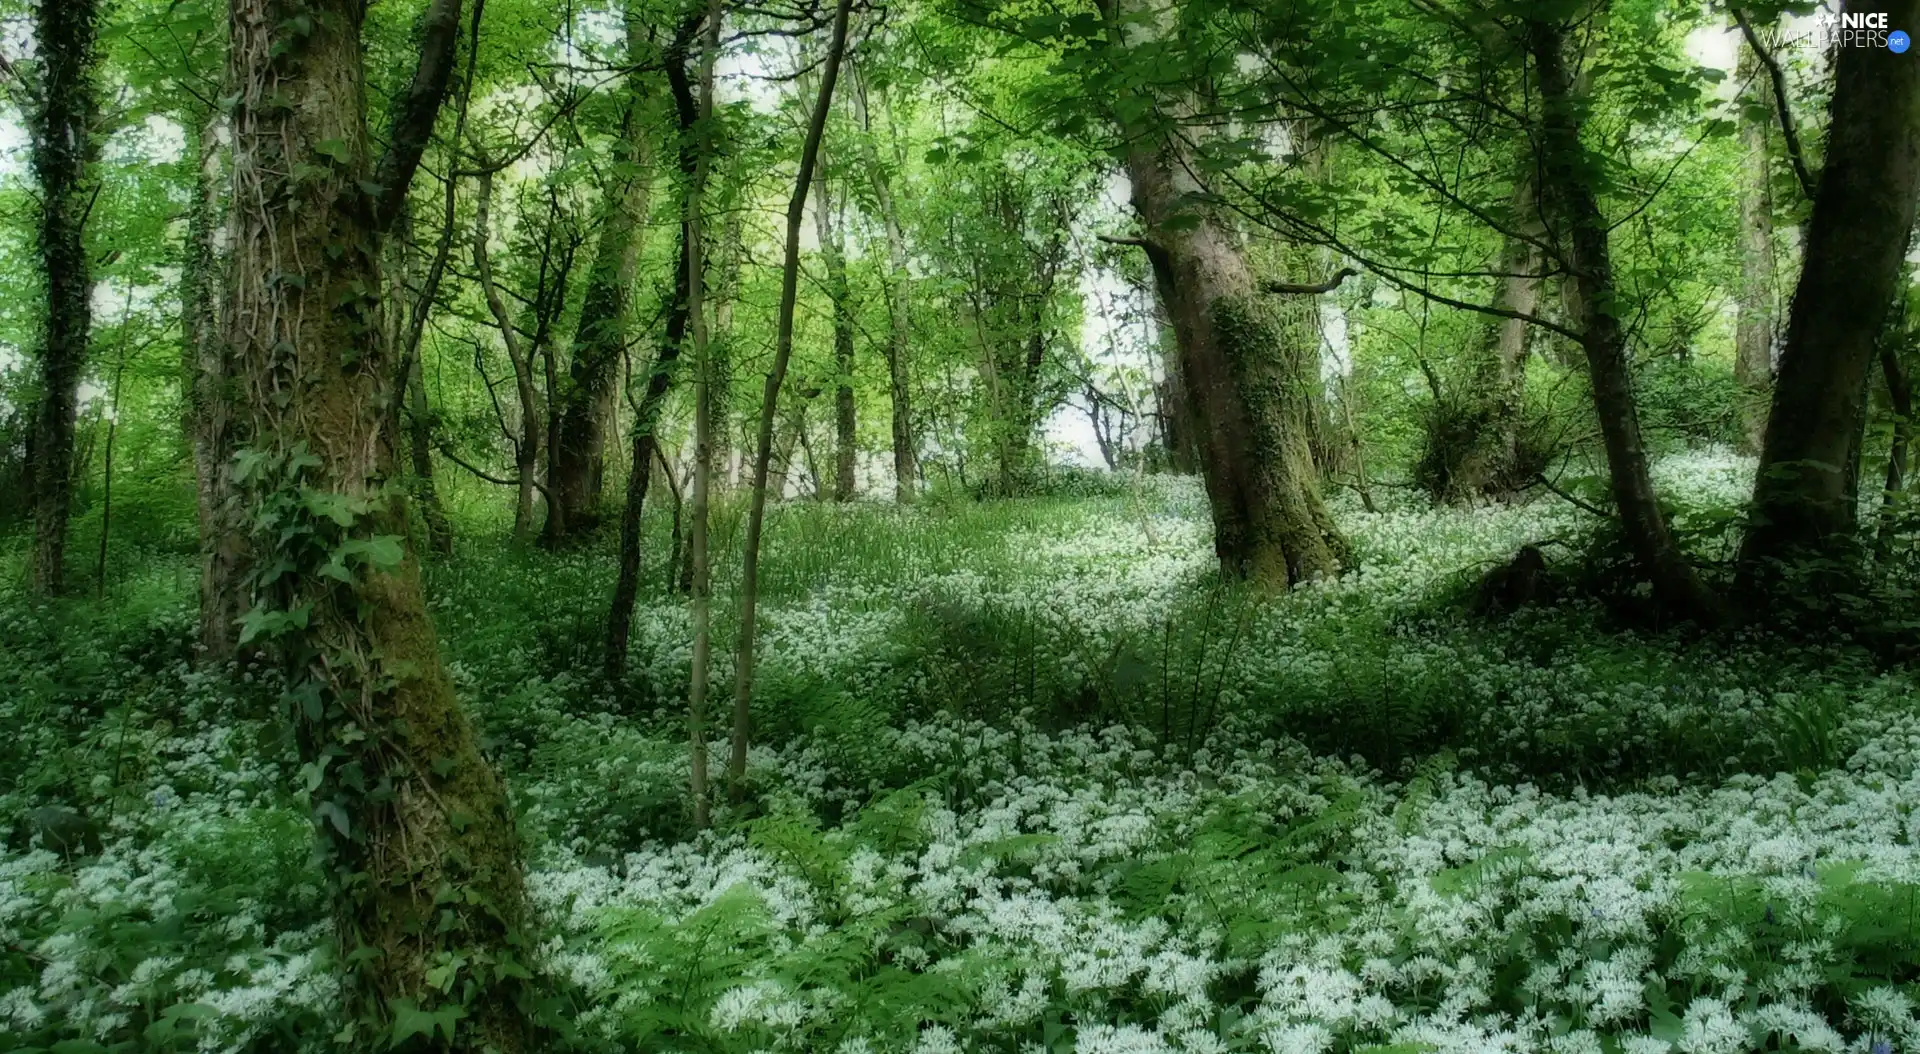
1863, 214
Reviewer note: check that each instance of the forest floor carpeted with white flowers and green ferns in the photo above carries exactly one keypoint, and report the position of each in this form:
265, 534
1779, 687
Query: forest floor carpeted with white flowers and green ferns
1026, 780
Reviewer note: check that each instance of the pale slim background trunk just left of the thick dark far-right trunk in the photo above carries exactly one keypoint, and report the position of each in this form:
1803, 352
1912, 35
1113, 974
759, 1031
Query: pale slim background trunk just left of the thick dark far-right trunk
1754, 331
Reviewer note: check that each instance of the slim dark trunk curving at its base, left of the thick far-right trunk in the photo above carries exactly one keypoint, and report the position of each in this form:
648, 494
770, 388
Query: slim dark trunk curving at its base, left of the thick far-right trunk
1573, 210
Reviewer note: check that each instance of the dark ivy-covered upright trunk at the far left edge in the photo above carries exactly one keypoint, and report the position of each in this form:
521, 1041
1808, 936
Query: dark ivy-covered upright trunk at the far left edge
62, 155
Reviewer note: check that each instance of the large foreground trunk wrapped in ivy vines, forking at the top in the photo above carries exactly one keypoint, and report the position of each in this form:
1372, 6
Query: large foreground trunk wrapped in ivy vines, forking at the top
406, 805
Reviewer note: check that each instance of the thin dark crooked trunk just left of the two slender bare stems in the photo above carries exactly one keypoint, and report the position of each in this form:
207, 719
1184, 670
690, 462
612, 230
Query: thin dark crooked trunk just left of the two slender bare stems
661, 377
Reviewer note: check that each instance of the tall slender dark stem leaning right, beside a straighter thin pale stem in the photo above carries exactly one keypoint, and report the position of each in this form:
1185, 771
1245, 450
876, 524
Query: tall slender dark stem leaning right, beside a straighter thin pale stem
790, 285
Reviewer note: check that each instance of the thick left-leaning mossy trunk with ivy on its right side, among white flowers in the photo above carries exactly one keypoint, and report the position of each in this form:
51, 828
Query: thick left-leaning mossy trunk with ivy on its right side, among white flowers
1247, 391
